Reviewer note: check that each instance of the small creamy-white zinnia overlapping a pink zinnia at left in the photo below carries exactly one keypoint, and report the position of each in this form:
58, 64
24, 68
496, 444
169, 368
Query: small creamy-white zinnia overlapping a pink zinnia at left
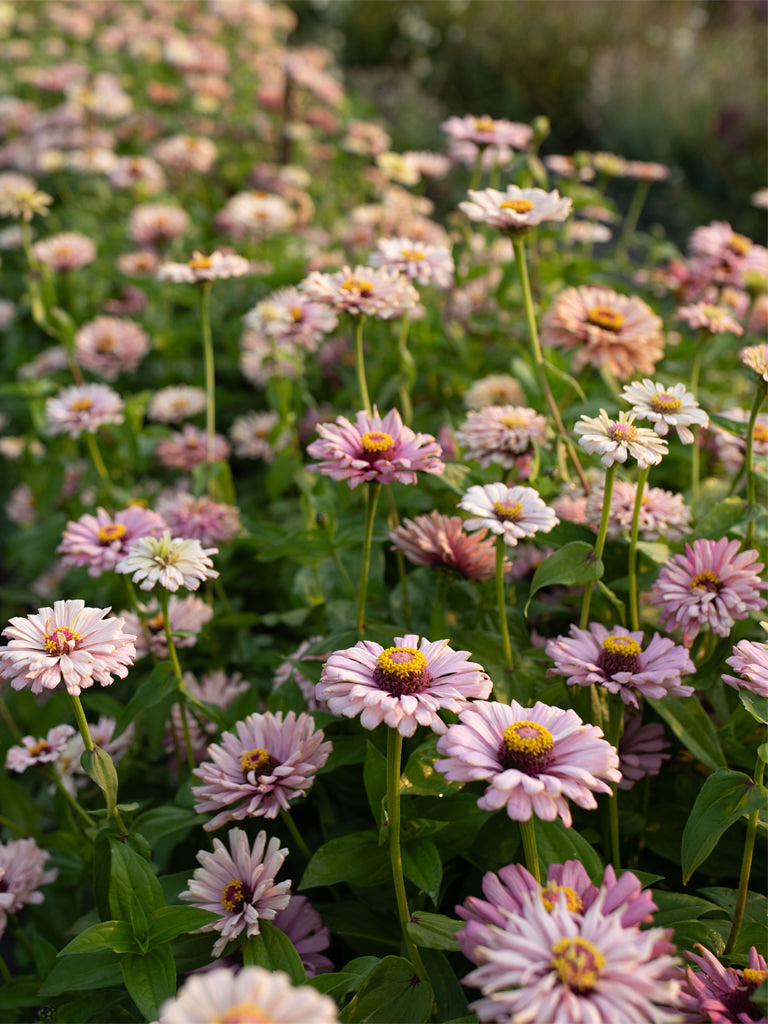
173, 563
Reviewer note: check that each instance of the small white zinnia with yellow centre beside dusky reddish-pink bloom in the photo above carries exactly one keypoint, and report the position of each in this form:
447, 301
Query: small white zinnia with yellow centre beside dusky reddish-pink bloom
510, 513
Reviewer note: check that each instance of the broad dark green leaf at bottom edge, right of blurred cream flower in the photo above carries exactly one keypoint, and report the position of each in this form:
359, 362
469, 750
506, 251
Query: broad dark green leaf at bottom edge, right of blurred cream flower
393, 994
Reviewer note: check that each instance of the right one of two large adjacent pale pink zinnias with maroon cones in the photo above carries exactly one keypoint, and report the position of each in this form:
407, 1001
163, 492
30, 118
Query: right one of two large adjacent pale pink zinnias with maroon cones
534, 759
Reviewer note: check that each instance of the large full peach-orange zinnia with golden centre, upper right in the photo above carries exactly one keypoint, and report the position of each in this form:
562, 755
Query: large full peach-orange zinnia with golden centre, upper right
603, 328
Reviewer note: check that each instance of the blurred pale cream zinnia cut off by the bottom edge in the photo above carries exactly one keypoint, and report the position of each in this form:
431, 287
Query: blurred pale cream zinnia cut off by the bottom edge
252, 994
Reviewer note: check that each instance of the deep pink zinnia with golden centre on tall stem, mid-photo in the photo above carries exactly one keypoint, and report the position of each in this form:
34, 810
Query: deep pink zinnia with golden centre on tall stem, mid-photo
374, 448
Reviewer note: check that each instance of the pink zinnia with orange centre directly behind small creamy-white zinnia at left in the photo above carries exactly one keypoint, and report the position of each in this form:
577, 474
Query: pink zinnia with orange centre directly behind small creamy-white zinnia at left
100, 541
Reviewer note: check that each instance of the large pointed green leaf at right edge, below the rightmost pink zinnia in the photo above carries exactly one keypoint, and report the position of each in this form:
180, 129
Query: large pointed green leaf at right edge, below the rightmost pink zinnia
726, 797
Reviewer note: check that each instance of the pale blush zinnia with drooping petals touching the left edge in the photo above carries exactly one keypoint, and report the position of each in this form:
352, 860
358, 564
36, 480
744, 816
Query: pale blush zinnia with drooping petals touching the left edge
70, 644
